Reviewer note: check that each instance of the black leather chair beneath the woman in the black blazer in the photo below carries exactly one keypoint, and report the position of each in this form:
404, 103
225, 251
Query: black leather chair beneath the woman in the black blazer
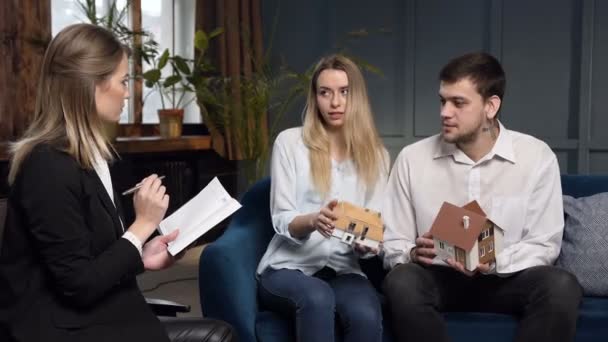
179, 329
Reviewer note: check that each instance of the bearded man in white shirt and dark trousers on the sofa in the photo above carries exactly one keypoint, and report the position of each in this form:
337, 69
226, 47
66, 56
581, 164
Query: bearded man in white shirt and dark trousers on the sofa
516, 180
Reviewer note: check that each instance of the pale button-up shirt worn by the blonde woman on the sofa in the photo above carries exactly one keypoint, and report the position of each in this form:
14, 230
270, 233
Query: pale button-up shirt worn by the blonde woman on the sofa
292, 194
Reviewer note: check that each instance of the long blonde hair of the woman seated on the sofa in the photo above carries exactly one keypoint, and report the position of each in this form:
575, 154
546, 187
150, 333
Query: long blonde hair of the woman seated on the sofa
363, 145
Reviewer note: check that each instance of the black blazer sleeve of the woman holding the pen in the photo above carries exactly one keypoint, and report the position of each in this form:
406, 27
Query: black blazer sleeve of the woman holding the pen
51, 192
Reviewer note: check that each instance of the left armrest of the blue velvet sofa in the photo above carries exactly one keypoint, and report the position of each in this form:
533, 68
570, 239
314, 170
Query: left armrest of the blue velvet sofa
227, 279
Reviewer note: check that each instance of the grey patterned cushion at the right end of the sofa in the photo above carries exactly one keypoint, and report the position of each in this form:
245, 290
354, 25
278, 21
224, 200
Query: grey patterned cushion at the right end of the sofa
584, 250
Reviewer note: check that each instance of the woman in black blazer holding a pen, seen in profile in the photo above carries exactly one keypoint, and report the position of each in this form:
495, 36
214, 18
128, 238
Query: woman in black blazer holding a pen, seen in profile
67, 262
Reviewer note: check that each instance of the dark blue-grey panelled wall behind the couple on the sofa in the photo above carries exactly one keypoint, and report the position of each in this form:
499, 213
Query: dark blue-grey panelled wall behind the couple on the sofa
553, 52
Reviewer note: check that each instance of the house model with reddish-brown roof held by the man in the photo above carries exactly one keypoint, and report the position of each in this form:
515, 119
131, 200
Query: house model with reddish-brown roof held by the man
466, 235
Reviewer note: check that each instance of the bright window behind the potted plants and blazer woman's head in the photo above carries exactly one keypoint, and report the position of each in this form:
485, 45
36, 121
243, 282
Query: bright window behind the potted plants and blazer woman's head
171, 23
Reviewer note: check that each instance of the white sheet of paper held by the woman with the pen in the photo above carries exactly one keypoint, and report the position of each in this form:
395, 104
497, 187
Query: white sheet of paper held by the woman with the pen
203, 212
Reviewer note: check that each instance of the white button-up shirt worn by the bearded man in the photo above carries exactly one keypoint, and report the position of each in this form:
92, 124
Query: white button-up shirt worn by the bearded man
517, 185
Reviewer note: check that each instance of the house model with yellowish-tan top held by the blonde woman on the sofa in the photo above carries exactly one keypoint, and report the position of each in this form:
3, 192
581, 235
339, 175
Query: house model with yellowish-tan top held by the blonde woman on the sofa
356, 224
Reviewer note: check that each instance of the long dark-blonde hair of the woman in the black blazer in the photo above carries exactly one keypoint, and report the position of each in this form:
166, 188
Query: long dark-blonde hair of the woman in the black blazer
80, 57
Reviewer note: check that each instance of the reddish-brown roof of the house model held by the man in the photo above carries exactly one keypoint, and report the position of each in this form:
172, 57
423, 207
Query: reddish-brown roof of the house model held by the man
449, 226
